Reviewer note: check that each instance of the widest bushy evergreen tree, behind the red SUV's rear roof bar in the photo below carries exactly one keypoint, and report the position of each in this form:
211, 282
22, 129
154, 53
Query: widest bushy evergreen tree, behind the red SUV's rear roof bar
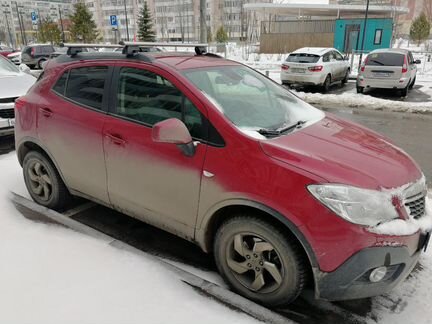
83, 28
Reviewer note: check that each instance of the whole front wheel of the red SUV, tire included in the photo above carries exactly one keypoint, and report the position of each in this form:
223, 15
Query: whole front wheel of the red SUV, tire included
259, 261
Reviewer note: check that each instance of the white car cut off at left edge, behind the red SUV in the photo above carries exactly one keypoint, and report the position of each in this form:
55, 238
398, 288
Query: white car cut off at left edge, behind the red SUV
13, 84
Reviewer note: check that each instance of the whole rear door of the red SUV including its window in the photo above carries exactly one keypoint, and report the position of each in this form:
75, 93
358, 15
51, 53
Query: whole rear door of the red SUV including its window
70, 123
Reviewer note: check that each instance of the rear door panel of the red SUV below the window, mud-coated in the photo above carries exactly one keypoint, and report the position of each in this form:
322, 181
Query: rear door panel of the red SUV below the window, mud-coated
69, 129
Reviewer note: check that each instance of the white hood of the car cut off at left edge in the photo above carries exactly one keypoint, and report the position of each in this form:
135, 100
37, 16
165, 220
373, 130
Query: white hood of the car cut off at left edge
15, 84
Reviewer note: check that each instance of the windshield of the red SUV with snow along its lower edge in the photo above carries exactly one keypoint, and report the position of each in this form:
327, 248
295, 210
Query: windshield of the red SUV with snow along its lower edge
250, 100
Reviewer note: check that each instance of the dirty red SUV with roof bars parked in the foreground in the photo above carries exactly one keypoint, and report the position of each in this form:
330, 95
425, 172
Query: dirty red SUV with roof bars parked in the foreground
282, 194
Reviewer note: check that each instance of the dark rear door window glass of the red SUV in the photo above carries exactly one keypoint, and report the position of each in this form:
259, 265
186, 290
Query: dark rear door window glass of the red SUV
84, 85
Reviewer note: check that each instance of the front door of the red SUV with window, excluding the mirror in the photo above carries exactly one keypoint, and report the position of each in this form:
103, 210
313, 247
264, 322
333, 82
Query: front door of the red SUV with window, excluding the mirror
153, 181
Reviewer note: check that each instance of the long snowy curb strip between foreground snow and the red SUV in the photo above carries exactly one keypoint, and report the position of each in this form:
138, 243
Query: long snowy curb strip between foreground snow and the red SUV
223, 295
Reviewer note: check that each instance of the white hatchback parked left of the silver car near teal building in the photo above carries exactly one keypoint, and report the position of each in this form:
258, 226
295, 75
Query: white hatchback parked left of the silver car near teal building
315, 66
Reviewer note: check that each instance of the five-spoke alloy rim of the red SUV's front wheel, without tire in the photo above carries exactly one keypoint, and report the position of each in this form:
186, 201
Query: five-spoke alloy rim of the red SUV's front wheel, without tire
255, 263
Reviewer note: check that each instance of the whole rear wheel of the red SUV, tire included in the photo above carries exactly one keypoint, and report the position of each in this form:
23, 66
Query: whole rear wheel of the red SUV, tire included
44, 183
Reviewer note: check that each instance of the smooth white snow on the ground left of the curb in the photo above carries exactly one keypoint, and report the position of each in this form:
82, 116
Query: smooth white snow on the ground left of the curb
49, 274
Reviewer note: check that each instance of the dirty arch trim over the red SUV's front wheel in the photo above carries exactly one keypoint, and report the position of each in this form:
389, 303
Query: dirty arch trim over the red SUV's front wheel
229, 209
